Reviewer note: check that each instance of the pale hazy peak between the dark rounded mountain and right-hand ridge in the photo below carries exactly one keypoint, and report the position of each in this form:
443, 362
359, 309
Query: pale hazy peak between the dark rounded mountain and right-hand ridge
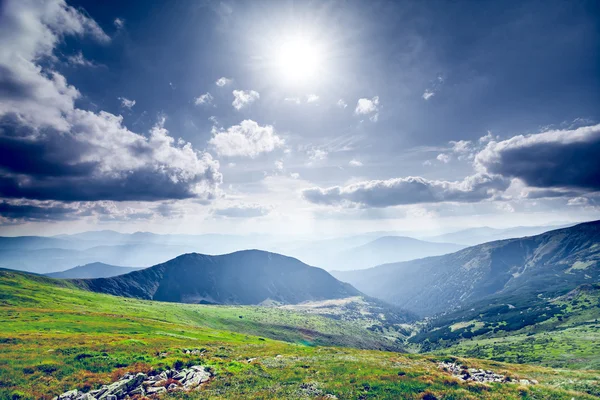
388, 249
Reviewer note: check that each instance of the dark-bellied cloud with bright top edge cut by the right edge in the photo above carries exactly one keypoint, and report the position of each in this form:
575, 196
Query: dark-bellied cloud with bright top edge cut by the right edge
552, 159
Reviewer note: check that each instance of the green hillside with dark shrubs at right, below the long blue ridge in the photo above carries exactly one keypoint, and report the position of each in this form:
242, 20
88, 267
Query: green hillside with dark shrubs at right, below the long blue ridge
562, 332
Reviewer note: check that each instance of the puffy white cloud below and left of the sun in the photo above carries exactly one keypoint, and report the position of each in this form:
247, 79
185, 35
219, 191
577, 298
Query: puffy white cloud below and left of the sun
248, 139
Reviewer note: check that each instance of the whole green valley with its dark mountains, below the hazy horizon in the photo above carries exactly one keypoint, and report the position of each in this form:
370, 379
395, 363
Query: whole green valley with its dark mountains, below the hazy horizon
528, 322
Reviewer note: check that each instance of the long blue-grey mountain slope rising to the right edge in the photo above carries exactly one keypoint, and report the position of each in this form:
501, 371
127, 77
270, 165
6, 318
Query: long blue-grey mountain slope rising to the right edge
551, 263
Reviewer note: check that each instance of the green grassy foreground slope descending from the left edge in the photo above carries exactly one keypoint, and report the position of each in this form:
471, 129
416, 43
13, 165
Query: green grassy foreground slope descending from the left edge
54, 337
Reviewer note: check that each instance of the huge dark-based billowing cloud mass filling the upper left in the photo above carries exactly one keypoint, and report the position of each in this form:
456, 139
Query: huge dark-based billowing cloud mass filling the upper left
52, 150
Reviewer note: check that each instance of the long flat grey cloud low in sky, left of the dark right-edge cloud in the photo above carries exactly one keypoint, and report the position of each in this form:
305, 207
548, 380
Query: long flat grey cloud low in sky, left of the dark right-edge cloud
410, 190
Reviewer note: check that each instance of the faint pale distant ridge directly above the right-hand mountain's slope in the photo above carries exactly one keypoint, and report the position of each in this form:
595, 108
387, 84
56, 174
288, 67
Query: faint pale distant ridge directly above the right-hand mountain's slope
474, 236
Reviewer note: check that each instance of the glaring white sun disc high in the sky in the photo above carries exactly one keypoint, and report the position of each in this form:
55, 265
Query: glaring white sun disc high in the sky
298, 59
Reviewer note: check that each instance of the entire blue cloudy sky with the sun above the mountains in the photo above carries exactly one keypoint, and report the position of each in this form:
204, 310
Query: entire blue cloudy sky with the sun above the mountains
297, 117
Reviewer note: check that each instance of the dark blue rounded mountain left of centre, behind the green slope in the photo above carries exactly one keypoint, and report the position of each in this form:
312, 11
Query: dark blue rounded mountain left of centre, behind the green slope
244, 277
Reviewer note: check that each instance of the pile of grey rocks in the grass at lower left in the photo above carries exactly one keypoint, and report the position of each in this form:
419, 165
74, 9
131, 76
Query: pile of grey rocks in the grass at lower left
152, 384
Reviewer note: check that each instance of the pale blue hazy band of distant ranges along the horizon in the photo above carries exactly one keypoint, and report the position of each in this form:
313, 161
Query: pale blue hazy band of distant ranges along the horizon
143, 249
